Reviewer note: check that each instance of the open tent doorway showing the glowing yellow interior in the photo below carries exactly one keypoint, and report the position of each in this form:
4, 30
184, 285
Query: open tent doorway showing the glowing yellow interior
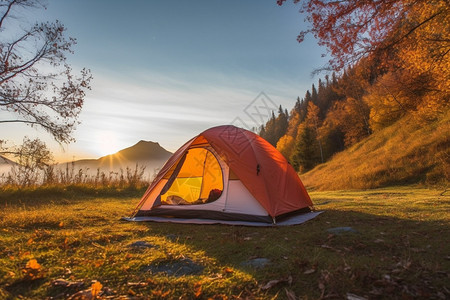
198, 181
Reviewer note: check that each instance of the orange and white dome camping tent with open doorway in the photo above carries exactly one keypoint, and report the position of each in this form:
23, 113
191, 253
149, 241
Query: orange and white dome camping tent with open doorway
226, 175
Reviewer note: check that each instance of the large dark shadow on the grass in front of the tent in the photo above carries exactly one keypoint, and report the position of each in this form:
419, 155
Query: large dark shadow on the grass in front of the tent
381, 257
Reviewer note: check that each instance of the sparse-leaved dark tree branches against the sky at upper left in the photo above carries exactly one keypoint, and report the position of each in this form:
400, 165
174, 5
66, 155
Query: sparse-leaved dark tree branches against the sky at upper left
37, 85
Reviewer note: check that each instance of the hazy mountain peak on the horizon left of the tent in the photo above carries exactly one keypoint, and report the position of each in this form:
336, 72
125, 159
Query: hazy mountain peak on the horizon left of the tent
143, 154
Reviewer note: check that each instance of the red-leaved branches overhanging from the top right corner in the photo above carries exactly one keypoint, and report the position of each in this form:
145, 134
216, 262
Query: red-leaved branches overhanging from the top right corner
354, 29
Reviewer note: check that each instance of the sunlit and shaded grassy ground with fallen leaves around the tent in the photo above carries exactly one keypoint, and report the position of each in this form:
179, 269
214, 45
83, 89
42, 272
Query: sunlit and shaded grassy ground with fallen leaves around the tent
390, 243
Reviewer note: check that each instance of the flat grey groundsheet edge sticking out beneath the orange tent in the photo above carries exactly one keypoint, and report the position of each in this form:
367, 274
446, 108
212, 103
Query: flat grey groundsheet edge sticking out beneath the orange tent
294, 220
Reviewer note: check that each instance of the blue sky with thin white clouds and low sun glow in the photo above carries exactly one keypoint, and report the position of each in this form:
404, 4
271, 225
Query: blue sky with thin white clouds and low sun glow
164, 71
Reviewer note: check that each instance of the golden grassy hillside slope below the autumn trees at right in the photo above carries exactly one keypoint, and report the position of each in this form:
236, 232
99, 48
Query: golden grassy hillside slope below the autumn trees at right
403, 153
